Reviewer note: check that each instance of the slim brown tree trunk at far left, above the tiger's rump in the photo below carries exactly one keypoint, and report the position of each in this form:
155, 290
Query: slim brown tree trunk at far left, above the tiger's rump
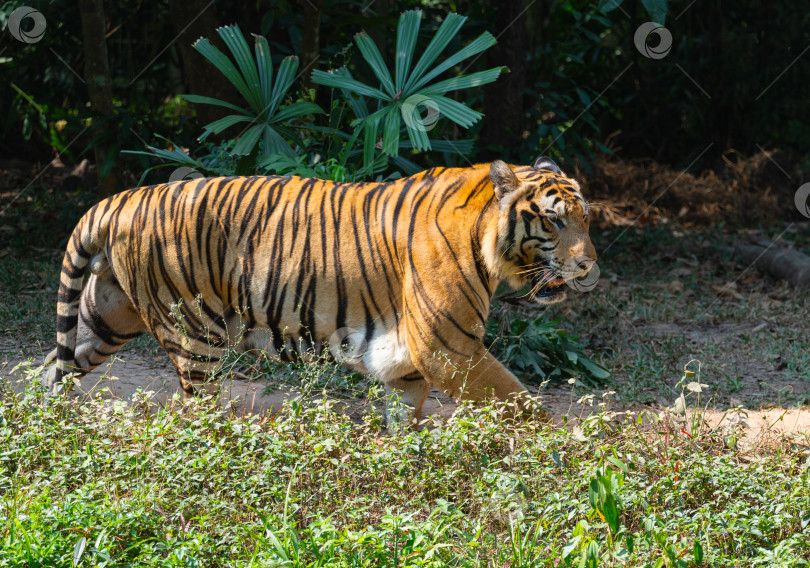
99, 83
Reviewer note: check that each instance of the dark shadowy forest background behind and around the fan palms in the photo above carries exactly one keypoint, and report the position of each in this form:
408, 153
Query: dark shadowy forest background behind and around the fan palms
733, 85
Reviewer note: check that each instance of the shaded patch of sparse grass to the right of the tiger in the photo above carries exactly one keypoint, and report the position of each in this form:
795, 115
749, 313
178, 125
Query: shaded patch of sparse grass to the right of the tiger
645, 328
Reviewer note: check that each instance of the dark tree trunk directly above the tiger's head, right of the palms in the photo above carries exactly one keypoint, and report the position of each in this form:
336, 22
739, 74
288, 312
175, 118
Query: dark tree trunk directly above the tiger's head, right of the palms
503, 100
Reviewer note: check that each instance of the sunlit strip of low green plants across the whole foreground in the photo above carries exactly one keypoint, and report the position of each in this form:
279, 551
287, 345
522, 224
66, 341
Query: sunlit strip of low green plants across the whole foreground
109, 485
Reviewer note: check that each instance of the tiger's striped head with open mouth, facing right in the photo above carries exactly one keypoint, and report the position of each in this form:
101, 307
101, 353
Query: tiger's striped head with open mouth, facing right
542, 229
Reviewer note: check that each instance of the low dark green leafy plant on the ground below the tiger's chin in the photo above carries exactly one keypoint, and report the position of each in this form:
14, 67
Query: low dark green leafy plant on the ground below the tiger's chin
541, 350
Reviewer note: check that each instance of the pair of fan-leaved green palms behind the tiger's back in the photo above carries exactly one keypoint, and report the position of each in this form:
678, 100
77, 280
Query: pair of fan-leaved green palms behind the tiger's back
264, 145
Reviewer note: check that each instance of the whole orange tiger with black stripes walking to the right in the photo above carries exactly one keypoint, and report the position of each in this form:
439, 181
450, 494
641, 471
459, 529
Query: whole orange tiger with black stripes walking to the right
394, 278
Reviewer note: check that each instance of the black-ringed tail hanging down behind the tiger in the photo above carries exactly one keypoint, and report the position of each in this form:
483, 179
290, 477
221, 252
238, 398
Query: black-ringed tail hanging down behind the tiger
84, 243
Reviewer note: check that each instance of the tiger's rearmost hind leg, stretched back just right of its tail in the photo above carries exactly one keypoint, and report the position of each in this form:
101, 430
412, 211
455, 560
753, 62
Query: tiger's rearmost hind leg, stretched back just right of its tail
107, 321
